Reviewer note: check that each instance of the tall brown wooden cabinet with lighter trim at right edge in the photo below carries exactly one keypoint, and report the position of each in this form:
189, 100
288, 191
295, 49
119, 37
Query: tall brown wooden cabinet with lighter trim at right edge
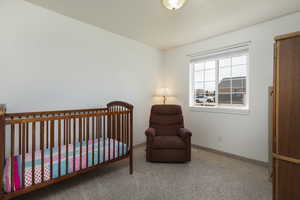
287, 118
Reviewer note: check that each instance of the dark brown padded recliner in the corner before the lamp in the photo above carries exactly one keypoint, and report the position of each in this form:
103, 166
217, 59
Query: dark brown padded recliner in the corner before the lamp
167, 139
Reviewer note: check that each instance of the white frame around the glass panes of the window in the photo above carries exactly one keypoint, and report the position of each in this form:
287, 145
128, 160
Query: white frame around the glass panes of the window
216, 55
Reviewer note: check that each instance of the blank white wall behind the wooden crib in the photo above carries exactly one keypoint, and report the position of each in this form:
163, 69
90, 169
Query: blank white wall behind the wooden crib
49, 61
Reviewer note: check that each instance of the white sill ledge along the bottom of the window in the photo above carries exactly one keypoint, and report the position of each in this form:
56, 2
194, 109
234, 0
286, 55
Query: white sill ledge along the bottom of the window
219, 109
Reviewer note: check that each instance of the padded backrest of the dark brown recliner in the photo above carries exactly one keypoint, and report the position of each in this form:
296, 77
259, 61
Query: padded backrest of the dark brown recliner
166, 119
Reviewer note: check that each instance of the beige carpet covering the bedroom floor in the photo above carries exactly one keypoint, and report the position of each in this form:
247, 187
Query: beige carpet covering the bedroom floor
208, 176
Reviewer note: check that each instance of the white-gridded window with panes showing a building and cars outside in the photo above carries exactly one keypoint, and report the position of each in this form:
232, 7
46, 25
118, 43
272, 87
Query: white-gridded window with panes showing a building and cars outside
220, 80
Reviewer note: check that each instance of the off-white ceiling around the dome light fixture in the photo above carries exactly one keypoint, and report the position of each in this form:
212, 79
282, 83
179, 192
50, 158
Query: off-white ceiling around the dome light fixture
148, 22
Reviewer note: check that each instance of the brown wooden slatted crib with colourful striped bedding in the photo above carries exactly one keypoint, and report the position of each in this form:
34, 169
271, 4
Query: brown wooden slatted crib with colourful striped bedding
42, 148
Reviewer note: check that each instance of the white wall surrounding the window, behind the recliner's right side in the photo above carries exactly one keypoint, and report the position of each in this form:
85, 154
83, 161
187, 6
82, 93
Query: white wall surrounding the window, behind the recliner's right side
244, 135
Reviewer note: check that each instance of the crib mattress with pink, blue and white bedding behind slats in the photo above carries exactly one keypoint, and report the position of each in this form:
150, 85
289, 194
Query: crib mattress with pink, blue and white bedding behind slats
120, 150
